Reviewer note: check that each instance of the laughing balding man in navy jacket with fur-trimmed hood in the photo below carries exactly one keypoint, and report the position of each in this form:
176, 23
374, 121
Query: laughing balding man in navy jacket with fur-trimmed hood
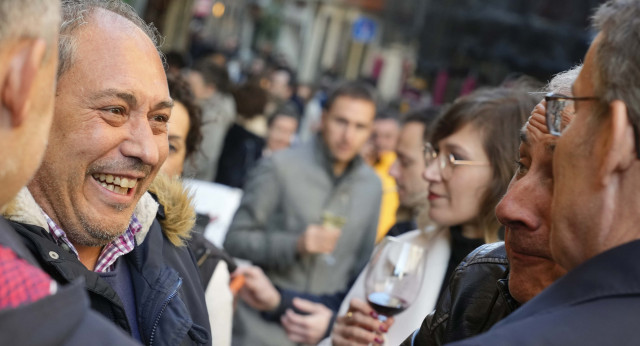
87, 212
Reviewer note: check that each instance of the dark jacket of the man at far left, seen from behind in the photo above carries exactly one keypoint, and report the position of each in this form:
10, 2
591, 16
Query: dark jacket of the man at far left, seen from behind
64, 318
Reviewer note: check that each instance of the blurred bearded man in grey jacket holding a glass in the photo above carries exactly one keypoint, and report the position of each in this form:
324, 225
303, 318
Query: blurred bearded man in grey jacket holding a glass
282, 225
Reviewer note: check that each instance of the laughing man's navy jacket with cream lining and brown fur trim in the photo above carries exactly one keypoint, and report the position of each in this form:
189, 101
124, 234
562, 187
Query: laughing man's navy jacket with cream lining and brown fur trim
169, 298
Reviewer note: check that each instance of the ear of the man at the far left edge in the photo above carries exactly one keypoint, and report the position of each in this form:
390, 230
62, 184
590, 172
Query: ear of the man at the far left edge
22, 68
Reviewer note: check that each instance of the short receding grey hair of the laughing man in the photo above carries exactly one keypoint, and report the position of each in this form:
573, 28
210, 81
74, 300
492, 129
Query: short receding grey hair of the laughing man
76, 13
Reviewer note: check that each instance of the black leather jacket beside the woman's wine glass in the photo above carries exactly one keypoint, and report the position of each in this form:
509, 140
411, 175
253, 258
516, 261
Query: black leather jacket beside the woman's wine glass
476, 299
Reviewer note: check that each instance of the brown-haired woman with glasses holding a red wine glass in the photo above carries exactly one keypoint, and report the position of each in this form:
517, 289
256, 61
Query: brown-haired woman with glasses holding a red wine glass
470, 159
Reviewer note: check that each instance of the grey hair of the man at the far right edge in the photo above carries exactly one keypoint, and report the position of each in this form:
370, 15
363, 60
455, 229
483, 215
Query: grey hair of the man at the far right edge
617, 58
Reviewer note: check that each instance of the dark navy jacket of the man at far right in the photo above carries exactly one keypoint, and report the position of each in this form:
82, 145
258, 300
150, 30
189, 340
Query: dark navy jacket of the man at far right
596, 303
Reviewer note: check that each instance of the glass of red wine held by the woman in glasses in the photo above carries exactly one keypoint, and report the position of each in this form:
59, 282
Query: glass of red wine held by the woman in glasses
394, 276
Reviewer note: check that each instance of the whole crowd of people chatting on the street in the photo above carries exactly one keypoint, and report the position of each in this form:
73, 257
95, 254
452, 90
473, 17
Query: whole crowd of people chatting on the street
100, 242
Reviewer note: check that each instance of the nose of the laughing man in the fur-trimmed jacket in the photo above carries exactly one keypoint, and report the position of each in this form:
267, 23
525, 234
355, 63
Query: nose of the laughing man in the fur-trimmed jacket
140, 142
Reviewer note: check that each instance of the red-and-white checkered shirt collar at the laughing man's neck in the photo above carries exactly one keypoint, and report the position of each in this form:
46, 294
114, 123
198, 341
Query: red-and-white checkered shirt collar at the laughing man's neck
110, 253
